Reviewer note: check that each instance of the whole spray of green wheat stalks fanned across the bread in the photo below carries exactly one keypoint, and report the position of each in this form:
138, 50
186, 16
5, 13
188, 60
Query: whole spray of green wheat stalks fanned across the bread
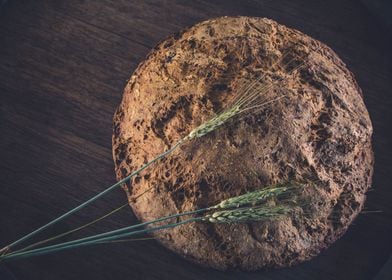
244, 208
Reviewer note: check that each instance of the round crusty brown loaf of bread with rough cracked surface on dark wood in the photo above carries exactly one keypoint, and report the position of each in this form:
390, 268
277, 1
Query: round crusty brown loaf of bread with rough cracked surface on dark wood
319, 132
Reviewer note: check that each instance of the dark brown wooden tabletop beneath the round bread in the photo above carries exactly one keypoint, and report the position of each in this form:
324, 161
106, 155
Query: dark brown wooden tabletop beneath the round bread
63, 66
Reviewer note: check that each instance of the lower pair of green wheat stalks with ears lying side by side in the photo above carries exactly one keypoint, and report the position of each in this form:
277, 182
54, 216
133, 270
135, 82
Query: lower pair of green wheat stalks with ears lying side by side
214, 214
